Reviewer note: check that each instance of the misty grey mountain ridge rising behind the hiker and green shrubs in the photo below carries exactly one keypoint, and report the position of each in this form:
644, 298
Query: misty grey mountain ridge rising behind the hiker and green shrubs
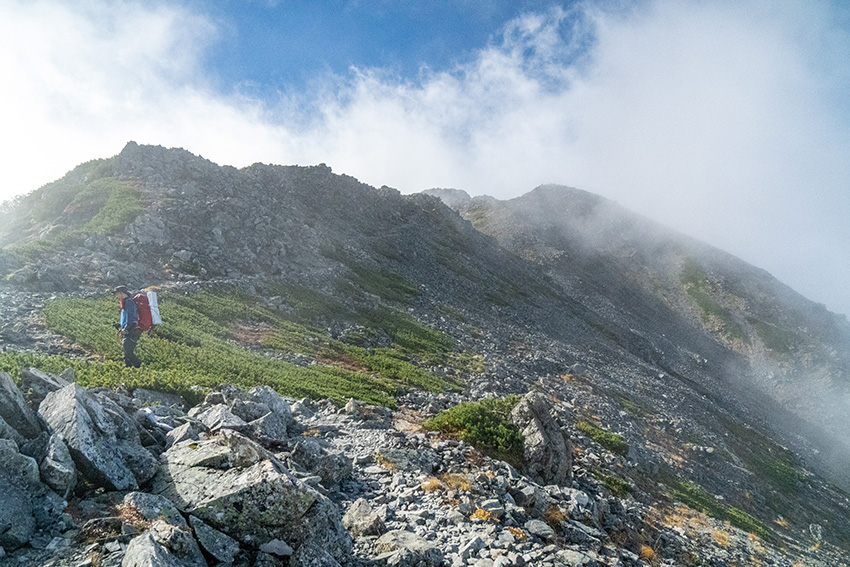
676, 344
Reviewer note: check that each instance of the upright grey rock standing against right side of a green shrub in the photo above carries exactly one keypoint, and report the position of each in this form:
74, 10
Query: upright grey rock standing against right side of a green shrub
548, 450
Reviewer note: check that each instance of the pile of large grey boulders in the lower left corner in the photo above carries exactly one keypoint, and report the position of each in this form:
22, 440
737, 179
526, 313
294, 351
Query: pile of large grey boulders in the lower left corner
196, 488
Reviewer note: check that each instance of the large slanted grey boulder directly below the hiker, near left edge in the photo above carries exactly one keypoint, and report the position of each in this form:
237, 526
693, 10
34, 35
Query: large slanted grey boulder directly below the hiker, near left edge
101, 440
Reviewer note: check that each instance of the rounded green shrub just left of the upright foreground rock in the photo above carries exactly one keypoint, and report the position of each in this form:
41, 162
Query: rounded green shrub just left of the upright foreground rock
486, 426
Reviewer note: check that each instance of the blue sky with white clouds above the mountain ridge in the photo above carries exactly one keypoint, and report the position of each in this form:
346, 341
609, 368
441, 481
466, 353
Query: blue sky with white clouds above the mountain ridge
725, 119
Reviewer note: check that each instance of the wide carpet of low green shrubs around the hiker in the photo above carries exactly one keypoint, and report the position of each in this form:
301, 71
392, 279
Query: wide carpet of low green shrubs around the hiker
200, 344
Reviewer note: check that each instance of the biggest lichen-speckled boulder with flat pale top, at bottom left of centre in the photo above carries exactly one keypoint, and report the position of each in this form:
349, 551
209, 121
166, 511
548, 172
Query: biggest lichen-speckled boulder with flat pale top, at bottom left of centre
237, 487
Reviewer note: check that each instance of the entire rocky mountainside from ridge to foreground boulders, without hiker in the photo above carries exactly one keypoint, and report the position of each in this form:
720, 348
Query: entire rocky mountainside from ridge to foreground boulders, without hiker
347, 375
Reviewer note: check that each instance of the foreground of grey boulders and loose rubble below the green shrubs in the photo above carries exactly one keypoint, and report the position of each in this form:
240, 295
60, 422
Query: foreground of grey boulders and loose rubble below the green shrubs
106, 478
